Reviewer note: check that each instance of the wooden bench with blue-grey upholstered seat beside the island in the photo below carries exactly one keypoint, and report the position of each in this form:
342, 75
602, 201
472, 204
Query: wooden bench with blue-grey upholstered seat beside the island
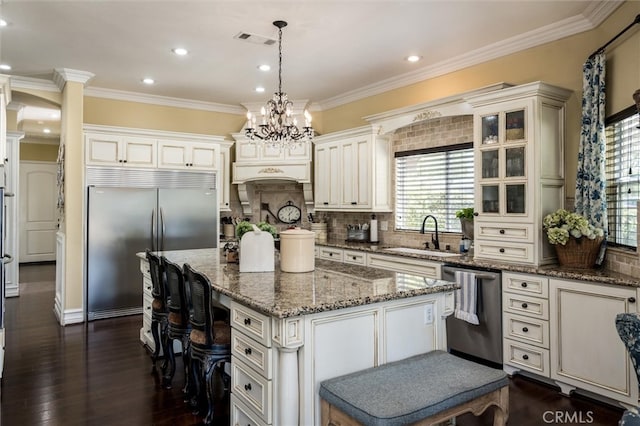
425, 389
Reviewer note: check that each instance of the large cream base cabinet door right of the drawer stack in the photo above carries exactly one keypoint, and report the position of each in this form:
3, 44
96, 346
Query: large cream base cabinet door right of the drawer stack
586, 351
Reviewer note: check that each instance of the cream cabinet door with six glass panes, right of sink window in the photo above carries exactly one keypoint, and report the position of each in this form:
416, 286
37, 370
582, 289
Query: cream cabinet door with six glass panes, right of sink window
502, 178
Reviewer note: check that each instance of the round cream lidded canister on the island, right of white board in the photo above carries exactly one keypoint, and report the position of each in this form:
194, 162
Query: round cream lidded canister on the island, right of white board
297, 250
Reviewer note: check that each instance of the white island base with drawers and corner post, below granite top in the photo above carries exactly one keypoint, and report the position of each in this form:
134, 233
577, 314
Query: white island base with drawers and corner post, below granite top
278, 364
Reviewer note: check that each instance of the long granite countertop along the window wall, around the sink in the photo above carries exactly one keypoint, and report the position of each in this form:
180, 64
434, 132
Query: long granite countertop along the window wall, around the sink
600, 275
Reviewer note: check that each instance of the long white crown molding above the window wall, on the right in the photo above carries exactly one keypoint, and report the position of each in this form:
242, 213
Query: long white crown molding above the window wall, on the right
549, 33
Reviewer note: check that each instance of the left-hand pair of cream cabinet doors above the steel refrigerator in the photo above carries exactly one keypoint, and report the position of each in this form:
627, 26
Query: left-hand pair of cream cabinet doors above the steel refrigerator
106, 149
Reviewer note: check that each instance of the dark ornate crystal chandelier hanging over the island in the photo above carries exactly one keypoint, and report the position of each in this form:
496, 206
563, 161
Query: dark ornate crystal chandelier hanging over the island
279, 128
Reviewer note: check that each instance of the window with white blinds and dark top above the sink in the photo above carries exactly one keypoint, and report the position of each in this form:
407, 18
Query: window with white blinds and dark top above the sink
437, 181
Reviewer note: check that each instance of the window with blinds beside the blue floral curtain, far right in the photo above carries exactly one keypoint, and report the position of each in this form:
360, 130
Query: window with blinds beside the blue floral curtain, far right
623, 177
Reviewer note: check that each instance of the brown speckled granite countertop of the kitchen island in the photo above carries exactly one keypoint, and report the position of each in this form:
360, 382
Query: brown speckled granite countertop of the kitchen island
332, 285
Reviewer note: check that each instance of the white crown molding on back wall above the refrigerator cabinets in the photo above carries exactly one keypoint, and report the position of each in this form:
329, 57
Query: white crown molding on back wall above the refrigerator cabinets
122, 95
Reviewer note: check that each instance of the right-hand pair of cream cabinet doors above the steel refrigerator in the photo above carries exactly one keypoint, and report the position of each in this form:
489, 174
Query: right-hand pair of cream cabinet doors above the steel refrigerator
188, 155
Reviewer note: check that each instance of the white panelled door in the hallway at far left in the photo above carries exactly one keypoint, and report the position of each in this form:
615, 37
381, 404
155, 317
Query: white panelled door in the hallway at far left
37, 211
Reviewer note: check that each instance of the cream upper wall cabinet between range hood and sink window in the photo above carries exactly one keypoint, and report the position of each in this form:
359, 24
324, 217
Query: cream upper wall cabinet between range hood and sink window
352, 171
